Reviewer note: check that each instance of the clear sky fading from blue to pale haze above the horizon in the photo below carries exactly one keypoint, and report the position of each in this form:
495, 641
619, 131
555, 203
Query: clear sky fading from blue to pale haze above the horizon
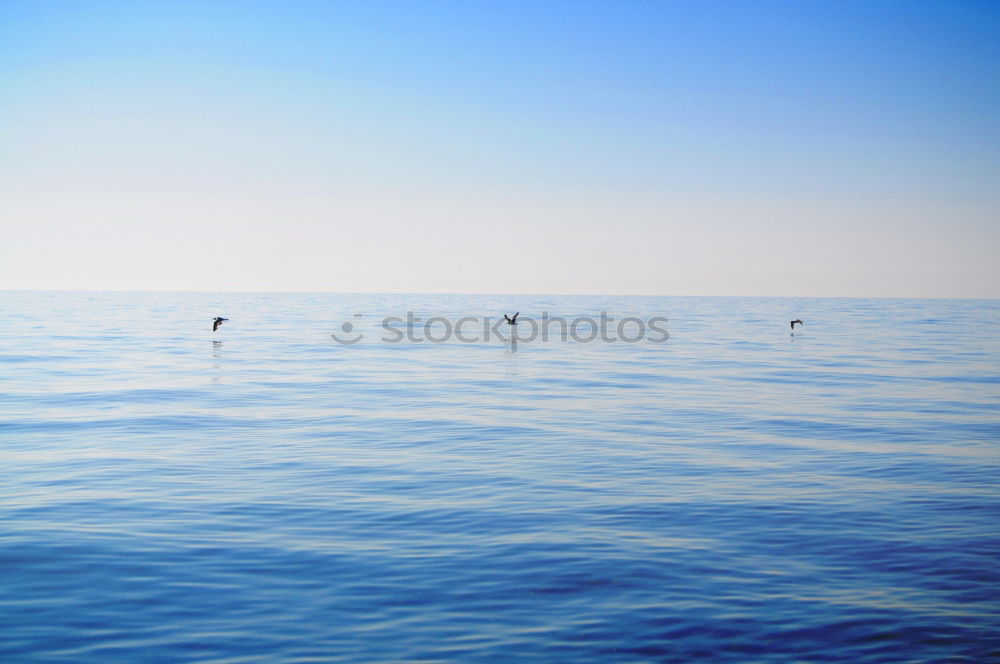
677, 148
